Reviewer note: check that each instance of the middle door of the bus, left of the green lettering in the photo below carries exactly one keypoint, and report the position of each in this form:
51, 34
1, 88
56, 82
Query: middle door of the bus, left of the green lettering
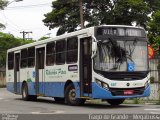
40, 55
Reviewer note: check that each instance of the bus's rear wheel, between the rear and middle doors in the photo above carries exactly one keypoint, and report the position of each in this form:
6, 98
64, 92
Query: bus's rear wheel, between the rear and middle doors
25, 95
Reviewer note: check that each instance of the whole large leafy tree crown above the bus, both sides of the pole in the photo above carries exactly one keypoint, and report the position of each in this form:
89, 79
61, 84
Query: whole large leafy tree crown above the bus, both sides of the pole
65, 15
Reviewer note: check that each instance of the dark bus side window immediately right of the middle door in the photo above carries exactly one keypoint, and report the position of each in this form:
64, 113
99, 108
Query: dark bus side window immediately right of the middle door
50, 54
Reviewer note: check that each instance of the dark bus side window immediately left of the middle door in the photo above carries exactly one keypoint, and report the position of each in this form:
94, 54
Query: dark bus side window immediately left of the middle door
31, 57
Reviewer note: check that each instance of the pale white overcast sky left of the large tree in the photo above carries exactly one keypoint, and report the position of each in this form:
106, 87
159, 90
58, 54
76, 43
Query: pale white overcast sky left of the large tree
27, 15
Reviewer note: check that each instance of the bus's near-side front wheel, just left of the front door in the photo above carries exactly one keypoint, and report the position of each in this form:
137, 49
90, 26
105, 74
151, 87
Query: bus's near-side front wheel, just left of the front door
70, 96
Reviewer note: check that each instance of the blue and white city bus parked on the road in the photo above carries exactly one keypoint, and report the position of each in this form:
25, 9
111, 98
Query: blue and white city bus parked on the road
103, 62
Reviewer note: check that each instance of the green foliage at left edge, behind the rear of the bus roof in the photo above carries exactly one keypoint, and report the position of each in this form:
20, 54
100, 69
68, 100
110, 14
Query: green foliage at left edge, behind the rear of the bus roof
8, 41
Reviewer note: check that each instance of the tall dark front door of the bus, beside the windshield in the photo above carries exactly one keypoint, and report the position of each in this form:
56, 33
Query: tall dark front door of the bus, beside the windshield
85, 66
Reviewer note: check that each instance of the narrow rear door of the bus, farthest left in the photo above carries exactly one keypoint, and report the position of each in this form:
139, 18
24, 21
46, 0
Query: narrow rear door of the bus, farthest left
16, 73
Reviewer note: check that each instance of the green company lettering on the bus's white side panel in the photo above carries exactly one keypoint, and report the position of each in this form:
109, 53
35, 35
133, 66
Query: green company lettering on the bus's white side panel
55, 72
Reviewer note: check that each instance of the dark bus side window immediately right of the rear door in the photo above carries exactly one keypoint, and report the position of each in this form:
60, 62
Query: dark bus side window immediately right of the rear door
24, 55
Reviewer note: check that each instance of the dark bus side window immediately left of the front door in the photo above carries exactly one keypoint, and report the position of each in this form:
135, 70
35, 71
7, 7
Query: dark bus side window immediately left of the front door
72, 50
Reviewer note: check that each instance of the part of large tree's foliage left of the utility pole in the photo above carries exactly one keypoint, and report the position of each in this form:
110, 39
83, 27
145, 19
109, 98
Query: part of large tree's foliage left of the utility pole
64, 15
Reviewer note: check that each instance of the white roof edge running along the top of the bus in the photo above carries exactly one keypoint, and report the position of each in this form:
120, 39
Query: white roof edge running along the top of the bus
87, 31
